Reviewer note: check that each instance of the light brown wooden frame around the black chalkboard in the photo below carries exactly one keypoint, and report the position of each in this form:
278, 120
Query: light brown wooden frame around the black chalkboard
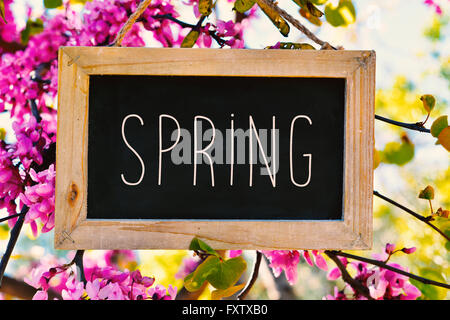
74, 231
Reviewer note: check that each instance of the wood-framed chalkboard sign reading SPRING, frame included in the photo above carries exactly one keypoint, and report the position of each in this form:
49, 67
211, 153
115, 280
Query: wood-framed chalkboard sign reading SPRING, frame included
246, 149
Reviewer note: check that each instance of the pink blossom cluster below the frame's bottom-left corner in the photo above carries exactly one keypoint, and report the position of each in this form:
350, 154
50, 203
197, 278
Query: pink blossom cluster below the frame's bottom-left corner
105, 282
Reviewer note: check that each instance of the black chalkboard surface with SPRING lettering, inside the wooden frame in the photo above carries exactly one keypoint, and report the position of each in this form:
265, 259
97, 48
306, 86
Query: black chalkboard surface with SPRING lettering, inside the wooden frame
120, 147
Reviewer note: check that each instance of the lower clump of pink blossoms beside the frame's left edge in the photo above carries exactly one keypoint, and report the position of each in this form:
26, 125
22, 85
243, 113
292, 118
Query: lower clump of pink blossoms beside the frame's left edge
19, 179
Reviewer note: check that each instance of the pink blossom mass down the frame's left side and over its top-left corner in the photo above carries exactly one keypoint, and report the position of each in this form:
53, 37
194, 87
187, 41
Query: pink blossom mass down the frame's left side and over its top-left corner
28, 88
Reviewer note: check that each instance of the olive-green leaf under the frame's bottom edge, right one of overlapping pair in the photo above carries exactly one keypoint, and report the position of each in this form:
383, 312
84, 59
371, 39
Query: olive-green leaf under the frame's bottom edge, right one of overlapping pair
228, 273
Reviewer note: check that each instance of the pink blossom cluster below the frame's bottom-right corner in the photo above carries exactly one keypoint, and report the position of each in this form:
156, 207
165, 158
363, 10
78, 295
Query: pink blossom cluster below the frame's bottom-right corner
382, 284
